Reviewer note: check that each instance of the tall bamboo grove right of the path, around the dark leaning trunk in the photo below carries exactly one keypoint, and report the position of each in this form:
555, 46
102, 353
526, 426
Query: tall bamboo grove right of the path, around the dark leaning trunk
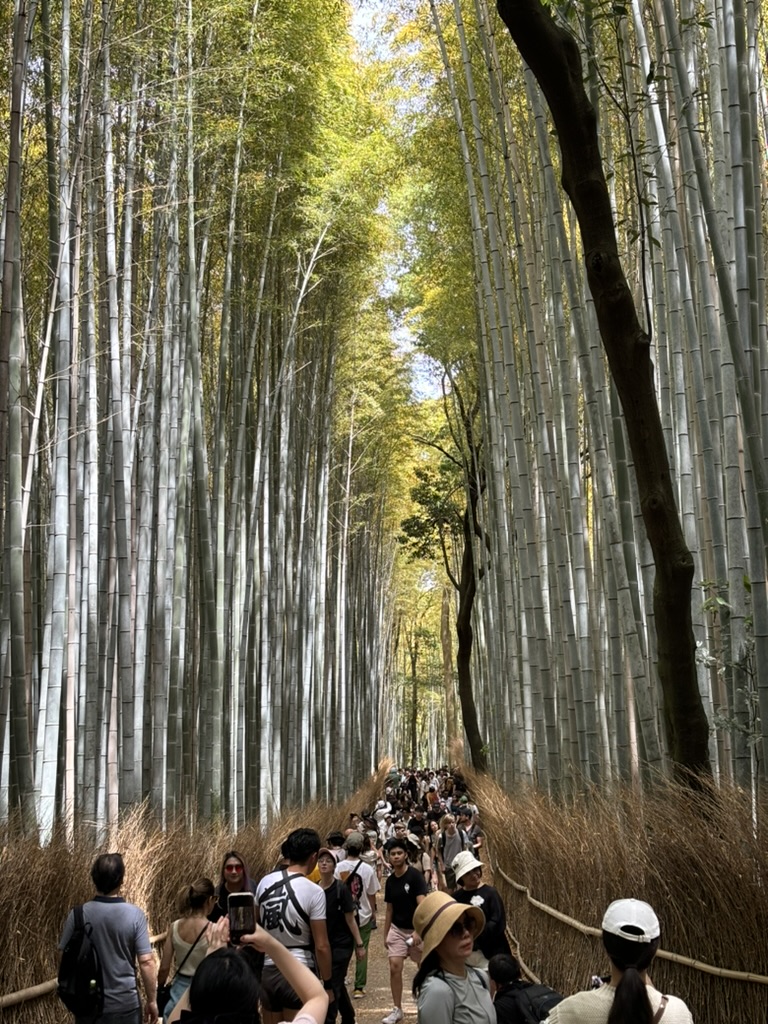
566, 661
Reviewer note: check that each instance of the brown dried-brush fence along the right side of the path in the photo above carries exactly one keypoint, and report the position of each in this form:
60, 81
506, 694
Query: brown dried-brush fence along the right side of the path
694, 857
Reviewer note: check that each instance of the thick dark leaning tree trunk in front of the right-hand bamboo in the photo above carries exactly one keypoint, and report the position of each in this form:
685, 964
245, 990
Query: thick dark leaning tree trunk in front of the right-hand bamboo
556, 61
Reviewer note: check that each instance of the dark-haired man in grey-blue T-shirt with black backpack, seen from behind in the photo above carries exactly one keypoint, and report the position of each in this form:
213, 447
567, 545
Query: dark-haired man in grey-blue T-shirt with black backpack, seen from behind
121, 938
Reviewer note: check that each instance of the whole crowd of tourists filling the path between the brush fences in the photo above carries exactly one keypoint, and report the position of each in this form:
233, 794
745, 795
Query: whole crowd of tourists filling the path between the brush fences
282, 948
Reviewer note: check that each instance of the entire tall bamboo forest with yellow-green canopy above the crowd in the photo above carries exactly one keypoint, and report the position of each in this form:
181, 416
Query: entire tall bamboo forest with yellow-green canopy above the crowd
326, 434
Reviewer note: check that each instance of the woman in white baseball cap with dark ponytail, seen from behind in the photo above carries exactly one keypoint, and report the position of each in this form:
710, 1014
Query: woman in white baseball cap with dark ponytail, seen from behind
631, 936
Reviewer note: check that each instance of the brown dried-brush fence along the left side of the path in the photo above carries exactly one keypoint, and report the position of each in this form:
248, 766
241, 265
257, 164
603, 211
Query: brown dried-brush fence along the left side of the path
39, 886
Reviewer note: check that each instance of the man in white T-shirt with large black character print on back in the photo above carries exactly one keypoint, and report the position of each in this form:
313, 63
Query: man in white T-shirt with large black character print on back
293, 910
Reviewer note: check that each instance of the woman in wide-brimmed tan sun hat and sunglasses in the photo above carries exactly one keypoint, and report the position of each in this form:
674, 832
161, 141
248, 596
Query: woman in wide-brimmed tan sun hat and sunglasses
447, 990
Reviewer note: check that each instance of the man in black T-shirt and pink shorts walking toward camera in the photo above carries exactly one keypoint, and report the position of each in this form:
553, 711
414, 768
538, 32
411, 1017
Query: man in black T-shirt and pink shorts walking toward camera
405, 890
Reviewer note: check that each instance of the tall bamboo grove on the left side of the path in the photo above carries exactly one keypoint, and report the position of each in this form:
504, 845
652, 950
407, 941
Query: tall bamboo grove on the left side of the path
202, 406
